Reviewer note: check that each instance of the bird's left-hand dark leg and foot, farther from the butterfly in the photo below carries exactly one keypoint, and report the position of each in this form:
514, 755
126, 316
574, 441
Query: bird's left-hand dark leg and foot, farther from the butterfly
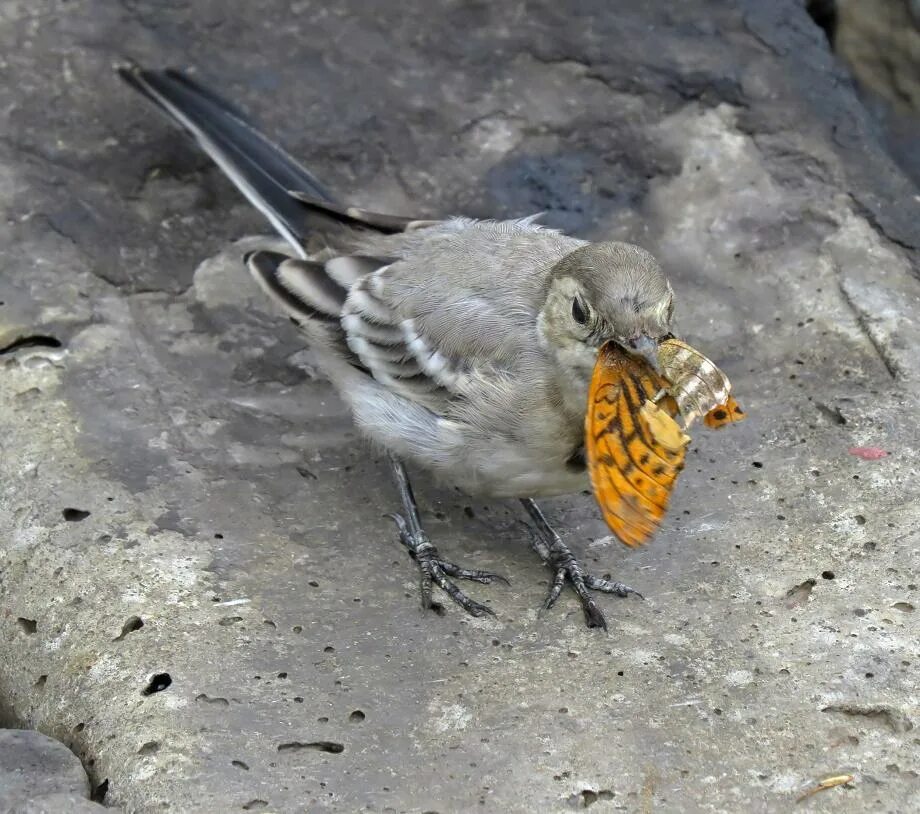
432, 568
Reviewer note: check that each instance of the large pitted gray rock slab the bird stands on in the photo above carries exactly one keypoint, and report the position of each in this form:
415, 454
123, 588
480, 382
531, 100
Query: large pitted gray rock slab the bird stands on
182, 497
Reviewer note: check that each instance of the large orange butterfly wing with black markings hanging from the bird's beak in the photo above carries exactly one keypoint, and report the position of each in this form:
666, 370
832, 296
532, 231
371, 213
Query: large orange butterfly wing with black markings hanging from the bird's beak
634, 447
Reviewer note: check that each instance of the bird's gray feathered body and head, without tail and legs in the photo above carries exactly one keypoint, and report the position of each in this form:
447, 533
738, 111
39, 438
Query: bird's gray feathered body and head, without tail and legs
465, 368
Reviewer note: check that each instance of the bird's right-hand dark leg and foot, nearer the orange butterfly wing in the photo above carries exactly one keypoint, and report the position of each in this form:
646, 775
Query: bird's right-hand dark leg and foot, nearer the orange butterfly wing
548, 544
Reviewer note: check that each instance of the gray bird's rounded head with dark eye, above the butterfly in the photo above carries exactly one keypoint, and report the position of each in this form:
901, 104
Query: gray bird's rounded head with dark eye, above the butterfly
601, 292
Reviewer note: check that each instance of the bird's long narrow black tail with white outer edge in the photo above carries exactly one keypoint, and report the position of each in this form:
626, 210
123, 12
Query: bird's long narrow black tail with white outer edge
262, 171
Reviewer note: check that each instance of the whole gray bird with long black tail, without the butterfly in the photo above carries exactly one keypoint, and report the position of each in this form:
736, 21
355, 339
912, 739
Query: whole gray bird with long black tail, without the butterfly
464, 346
